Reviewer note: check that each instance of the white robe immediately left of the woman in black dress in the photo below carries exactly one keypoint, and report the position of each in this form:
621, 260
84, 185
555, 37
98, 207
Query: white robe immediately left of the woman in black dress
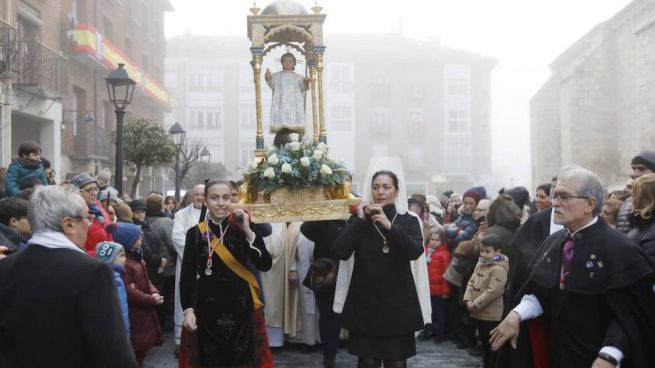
308, 310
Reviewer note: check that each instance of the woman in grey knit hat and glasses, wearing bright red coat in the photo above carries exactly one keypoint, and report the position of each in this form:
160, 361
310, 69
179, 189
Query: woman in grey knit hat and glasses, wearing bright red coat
88, 187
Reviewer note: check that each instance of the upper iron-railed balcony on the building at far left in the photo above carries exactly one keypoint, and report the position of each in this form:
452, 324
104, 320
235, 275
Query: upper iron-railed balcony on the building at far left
39, 69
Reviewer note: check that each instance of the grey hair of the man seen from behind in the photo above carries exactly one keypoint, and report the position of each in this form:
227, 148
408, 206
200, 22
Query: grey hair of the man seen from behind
49, 205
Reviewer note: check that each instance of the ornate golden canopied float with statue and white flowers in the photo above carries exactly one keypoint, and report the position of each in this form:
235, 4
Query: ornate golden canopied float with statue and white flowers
294, 179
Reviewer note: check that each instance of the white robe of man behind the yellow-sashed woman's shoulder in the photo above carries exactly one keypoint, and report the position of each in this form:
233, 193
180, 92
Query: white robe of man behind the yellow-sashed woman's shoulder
185, 219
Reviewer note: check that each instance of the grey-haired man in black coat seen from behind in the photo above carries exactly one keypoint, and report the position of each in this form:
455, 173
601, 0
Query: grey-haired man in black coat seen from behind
58, 306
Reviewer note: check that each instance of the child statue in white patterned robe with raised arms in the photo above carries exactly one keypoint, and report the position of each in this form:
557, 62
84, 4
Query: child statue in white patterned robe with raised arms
288, 103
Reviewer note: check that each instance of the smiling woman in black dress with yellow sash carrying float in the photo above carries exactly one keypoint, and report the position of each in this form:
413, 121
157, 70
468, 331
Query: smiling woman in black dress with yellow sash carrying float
219, 295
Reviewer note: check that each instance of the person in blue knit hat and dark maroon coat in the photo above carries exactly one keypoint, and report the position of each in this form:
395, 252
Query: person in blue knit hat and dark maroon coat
142, 296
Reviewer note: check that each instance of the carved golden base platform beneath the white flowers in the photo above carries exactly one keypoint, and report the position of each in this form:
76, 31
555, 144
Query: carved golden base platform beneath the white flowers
312, 204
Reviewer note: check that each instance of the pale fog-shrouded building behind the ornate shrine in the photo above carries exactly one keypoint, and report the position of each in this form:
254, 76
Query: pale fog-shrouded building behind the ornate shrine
385, 95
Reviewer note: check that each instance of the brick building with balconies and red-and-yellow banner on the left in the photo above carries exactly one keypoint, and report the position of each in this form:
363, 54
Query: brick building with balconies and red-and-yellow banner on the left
59, 98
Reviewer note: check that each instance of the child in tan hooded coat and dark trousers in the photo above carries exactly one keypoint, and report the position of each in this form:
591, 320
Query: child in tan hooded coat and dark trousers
484, 292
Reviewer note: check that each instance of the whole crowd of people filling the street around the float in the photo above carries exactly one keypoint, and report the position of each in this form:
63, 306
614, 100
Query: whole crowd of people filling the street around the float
94, 279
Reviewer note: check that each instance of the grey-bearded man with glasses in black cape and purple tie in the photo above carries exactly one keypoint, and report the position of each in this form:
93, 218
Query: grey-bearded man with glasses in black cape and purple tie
593, 285
